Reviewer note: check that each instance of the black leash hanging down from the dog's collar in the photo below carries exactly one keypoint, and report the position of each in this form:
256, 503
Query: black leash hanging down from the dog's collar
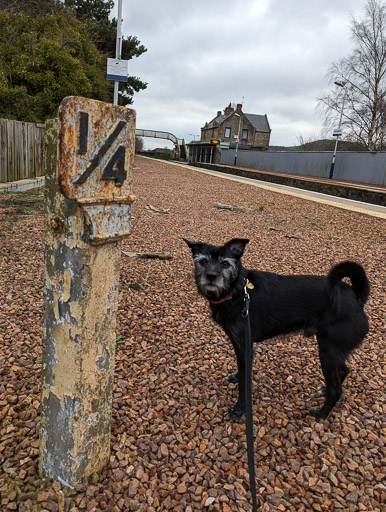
248, 397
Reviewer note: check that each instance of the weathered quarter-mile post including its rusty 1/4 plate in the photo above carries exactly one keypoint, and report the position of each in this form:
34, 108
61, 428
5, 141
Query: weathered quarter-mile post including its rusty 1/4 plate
89, 157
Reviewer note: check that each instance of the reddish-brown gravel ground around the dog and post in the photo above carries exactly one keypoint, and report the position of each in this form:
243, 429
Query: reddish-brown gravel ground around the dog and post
171, 448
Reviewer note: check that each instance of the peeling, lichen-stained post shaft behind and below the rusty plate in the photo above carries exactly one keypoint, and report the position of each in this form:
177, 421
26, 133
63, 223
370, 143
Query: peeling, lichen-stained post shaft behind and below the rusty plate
80, 305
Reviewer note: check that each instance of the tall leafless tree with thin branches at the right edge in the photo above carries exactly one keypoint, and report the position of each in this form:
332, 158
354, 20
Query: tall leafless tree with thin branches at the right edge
364, 72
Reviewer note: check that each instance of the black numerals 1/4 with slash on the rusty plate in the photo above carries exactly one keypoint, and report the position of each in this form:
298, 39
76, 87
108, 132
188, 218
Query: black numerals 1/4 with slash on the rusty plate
115, 167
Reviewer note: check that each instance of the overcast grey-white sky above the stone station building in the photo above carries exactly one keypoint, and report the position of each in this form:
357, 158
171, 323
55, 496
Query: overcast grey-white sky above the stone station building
204, 54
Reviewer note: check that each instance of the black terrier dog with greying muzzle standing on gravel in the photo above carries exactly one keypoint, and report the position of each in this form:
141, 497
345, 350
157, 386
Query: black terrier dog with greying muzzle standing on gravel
321, 305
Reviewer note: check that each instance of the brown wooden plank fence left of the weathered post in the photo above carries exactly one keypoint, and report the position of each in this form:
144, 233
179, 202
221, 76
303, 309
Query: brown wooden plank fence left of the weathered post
21, 150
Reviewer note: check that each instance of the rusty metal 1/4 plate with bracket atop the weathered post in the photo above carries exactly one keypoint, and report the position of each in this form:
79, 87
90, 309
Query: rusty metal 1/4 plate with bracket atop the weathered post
96, 152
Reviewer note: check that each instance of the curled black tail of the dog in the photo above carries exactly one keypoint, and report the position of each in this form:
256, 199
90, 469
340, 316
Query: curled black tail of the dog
357, 276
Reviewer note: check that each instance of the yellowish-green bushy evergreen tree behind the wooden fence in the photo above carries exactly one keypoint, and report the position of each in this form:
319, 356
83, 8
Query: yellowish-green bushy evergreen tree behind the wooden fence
42, 60
